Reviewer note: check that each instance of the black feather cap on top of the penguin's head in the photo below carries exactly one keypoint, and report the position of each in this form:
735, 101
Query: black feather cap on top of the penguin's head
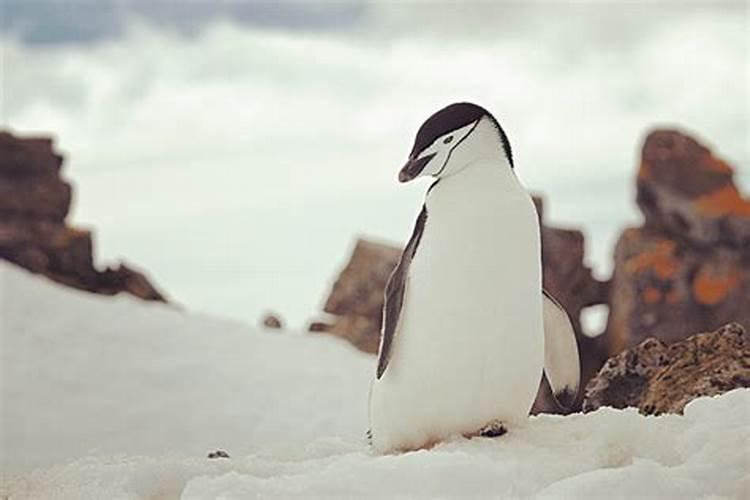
453, 117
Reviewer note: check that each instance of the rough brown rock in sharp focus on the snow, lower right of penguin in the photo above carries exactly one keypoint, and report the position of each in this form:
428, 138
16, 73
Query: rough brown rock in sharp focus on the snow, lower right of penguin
659, 378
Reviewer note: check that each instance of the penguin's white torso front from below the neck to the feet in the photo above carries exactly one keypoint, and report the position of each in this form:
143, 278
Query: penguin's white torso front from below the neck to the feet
469, 347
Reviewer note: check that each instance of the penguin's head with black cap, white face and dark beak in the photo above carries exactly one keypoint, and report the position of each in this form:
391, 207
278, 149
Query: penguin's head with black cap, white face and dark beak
452, 138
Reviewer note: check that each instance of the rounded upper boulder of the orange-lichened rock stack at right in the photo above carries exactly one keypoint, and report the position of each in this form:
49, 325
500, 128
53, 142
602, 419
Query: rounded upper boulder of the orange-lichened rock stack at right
687, 192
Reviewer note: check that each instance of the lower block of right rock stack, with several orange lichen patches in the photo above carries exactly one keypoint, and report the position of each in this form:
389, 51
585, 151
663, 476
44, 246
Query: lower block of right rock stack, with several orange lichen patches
659, 286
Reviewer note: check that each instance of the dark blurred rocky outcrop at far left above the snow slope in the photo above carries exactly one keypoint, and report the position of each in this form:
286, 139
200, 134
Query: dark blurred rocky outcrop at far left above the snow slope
34, 204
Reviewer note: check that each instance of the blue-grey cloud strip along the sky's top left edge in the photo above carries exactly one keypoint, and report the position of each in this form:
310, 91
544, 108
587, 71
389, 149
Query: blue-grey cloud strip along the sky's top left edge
51, 22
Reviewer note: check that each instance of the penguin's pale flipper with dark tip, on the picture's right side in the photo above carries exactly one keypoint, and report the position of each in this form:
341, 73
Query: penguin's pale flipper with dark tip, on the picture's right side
561, 362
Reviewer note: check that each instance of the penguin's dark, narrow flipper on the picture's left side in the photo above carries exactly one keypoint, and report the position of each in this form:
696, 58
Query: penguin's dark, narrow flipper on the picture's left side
394, 293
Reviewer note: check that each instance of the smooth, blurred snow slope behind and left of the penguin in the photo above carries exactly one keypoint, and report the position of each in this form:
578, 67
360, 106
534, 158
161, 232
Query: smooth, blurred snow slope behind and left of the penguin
82, 374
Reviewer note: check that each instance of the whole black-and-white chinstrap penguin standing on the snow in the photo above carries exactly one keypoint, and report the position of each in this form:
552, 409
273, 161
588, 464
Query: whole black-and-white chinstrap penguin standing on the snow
467, 328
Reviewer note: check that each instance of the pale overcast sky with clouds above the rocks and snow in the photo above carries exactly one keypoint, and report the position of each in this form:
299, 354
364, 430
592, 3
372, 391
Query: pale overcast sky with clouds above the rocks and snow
235, 149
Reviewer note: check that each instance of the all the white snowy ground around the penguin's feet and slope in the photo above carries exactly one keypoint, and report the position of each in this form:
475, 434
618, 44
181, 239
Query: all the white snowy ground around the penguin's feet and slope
114, 398
